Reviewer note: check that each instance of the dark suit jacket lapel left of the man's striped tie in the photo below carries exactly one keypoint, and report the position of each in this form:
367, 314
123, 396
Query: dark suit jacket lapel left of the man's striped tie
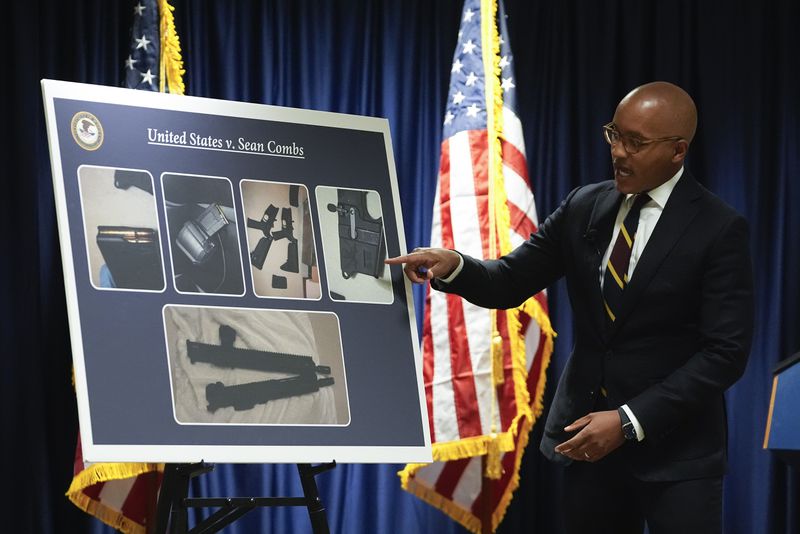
601, 224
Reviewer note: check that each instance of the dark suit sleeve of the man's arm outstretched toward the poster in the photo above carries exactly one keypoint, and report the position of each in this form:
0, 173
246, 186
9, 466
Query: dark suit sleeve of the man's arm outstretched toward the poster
509, 281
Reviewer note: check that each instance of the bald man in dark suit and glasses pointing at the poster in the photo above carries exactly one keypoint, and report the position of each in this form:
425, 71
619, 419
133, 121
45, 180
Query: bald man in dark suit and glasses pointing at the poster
659, 277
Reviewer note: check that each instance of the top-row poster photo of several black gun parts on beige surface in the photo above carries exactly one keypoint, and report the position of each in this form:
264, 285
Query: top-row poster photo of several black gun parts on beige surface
280, 240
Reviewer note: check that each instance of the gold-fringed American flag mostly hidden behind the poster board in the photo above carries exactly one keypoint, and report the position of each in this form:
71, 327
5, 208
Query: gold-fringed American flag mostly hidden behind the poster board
124, 495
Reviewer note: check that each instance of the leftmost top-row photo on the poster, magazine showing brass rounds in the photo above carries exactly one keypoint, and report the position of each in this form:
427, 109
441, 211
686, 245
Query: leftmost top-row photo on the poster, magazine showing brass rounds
120, 222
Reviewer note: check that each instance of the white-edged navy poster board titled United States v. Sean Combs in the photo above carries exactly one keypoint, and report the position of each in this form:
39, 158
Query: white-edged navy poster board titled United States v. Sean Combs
226, 292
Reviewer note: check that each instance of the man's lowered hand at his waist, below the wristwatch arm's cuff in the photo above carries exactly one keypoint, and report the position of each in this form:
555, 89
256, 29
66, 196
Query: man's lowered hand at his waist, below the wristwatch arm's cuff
600, 433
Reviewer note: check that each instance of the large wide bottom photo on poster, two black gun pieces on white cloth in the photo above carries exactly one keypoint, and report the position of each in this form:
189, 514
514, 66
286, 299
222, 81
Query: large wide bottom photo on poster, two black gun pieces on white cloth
258, 367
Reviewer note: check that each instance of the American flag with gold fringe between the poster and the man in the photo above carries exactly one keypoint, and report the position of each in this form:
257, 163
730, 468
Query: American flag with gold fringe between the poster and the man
481, 402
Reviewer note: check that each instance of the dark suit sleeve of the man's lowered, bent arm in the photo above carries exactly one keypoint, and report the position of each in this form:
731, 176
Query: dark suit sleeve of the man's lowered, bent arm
724, 329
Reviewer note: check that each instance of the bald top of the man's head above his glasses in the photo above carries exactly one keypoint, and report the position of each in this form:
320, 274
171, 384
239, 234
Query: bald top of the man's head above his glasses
670, 109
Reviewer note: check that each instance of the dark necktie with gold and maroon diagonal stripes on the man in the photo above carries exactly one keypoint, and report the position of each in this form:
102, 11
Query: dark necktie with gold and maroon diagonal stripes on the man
616, 277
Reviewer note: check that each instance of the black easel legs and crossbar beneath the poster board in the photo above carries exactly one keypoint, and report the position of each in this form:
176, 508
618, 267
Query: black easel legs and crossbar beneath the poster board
173, 502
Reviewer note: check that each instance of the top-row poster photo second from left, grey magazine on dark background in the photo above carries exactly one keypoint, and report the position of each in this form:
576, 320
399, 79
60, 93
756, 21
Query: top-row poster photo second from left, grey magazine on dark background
203, 238
